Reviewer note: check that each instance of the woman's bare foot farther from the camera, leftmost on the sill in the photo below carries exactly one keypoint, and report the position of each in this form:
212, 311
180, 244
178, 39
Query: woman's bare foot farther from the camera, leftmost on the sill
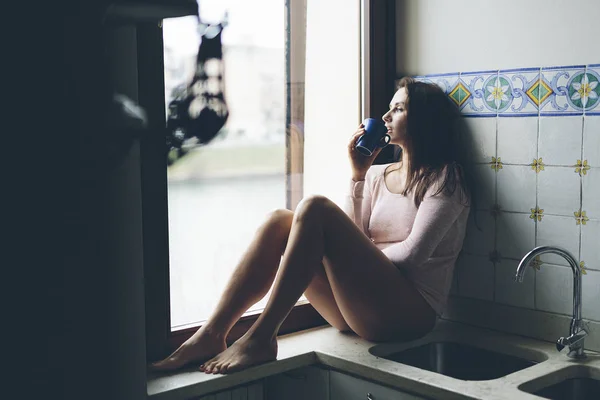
200, 347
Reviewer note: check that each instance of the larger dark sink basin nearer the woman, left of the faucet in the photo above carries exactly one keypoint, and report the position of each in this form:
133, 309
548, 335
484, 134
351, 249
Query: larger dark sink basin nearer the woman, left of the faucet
460, 361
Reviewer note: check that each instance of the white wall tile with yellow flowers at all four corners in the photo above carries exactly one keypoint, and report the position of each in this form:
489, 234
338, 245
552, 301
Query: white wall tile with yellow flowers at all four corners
559, 190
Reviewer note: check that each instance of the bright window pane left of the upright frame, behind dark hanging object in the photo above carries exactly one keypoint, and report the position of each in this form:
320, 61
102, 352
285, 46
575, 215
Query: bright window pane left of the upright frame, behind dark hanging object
220, 193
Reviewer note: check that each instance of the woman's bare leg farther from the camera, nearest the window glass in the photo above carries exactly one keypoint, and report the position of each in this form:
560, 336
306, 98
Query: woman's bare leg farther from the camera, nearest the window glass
248, 284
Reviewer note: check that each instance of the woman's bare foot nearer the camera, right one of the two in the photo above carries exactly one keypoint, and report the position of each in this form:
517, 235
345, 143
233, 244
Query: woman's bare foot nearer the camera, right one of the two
244, 353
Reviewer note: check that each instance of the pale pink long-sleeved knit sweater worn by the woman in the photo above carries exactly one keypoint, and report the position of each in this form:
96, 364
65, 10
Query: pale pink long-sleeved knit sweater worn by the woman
422, 242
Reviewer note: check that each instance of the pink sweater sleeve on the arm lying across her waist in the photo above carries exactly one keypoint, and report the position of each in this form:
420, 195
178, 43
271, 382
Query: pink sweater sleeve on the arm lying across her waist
434, 218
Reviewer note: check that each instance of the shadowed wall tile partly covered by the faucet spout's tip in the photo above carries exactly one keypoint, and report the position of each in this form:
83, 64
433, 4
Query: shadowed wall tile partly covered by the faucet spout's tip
508, 291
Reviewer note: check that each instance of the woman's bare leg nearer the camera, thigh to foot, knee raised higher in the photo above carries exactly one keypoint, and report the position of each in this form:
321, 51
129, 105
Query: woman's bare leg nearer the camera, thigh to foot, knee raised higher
374, 297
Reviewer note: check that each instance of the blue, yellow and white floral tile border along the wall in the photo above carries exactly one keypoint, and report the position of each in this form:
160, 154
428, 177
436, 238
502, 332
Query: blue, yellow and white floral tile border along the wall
563, 90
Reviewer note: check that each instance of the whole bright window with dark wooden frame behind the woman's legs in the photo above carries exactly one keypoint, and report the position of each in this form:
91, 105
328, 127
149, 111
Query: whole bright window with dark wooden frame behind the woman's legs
293, 87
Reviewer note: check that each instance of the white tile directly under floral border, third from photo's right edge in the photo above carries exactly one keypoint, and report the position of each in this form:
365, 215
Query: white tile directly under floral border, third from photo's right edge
517, 139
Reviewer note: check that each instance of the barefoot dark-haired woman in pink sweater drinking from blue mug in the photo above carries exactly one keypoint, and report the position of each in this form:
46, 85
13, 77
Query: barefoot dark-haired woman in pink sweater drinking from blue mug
381, 268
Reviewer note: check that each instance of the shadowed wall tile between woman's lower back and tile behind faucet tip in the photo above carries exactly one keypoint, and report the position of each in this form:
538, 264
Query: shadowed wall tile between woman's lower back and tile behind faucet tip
475, 277
